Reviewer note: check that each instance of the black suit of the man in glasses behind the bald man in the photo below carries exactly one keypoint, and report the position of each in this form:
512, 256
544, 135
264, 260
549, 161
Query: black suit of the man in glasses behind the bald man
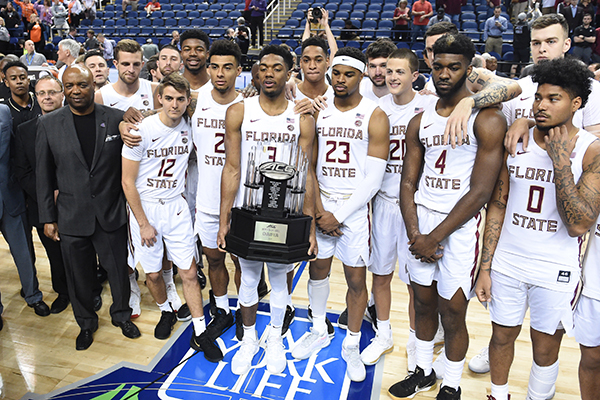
24, 163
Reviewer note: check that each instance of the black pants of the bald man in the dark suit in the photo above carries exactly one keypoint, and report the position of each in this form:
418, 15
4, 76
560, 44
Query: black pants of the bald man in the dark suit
79, 254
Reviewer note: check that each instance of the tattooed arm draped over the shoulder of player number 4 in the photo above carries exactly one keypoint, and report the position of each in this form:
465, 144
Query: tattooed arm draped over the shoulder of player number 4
490, 90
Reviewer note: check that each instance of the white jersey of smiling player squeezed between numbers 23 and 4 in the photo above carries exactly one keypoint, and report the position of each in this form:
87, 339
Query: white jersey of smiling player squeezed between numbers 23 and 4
399, 117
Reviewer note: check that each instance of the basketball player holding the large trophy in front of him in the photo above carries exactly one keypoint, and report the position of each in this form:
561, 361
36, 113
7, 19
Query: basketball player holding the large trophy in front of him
244, 123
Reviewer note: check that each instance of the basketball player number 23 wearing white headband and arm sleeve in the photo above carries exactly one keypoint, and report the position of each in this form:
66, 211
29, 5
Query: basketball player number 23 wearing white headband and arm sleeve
350, 169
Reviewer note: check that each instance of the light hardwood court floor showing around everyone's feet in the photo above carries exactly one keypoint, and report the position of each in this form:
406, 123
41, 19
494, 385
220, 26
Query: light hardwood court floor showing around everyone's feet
38, 354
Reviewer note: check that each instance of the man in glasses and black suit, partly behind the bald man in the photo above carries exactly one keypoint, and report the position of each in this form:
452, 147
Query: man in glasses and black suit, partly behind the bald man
50, 97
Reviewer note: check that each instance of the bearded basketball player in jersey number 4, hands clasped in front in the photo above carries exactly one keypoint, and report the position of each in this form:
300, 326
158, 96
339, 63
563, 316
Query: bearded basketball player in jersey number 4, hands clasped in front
443, 215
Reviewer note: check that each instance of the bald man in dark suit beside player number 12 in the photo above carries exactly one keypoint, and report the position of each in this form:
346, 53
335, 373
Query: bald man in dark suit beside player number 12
78, 152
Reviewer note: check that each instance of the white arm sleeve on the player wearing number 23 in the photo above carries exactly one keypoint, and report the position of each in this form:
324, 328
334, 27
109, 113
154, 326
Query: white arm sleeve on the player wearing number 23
366, 189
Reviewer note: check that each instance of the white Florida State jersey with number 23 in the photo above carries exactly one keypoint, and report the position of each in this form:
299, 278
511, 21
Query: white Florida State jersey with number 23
343, 138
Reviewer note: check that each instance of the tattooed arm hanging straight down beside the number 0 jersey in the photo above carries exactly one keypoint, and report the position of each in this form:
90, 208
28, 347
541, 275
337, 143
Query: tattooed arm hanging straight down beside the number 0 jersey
493, 226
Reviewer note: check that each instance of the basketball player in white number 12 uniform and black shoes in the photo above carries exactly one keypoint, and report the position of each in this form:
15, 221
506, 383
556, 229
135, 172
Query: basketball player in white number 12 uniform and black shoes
153, 176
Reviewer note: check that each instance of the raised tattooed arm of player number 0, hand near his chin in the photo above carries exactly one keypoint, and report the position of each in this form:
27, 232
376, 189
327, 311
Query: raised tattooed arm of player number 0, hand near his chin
578, 203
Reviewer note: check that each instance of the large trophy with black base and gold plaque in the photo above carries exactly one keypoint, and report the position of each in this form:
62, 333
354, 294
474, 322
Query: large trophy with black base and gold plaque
270, 225
